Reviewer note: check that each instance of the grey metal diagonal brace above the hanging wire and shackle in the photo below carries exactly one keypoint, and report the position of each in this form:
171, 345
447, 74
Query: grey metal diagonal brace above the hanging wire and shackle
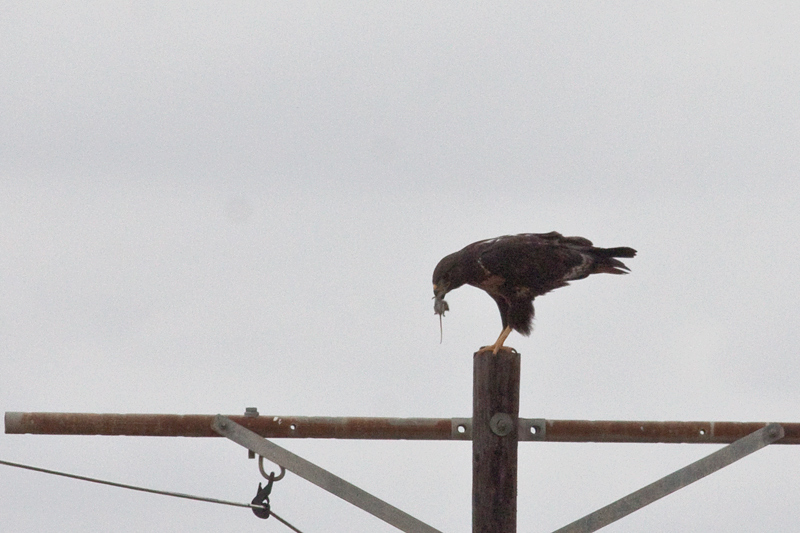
319, 476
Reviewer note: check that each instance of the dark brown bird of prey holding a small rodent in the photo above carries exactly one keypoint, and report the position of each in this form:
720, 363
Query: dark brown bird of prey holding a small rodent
515, 269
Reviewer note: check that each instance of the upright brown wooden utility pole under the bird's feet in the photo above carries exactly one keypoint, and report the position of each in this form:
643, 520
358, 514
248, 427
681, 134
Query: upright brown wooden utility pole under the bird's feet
495, 428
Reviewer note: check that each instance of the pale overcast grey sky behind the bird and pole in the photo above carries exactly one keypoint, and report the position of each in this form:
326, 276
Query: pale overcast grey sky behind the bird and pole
205, 207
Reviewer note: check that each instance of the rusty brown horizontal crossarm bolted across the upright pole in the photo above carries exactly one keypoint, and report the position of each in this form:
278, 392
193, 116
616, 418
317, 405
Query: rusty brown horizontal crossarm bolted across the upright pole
531, 429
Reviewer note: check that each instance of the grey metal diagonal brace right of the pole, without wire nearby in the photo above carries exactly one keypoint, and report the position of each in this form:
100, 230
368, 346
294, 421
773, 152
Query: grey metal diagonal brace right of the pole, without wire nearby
677, 480
